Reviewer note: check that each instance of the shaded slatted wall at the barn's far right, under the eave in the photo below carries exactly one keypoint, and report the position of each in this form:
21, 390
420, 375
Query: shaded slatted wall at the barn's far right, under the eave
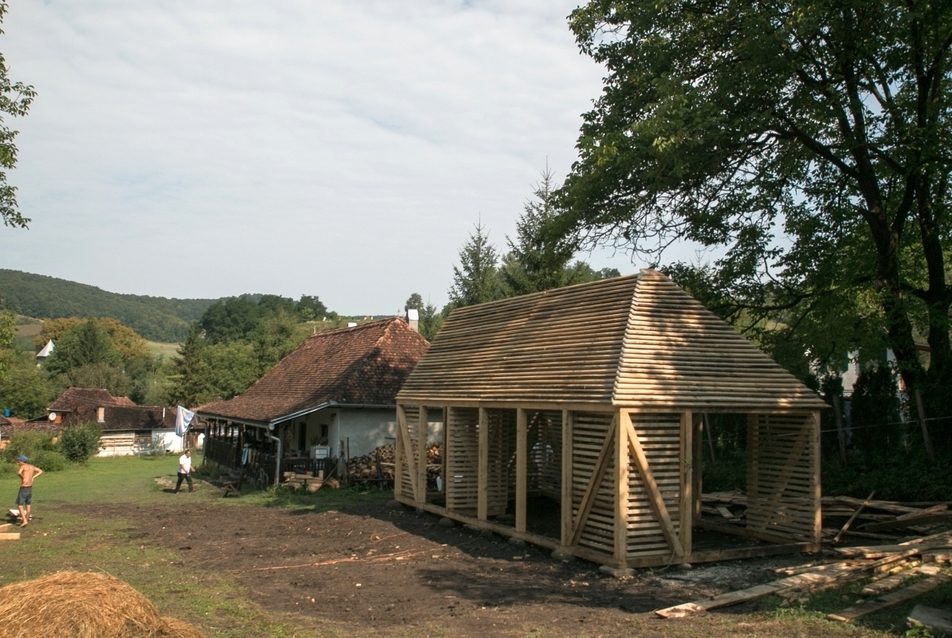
782, 476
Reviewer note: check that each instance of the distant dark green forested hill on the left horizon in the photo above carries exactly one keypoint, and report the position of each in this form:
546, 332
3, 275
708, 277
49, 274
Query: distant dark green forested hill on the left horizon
42, 297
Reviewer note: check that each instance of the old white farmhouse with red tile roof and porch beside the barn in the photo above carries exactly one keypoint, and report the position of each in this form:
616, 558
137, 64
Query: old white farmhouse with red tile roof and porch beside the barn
335, 395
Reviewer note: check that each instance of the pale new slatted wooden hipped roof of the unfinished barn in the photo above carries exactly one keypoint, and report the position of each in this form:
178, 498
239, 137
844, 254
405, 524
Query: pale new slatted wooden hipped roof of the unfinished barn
637, 341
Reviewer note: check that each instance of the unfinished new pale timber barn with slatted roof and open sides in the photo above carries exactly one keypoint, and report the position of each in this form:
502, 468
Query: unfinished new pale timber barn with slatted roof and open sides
591, 399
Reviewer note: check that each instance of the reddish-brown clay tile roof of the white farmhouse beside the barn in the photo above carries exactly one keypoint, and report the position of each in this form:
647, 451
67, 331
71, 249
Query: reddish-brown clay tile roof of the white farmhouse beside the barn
366, 364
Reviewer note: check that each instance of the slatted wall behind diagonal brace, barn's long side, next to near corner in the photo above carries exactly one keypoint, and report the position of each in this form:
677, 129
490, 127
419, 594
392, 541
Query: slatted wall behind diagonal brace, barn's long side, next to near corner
588, 437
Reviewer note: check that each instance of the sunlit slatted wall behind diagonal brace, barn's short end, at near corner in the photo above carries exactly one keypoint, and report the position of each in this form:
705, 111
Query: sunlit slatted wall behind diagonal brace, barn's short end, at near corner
660, 436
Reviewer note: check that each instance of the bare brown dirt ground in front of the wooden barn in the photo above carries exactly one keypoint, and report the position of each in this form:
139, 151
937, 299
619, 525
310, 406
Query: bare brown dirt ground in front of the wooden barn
383, 568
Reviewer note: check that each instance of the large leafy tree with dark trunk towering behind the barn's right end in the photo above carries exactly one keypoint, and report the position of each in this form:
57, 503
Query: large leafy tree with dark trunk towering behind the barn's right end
811, 138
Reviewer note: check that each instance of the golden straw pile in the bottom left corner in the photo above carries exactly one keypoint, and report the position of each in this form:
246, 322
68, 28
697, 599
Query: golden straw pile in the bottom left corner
83, 605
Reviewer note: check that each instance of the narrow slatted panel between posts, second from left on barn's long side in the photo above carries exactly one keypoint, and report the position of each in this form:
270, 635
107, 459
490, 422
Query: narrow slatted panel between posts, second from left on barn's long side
462, 459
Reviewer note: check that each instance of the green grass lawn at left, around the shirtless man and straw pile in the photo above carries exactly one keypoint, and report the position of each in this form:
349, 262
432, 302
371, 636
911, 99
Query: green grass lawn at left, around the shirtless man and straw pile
61, 541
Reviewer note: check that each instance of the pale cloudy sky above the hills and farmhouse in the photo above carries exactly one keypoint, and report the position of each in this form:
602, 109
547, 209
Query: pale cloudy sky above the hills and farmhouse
344, 149
